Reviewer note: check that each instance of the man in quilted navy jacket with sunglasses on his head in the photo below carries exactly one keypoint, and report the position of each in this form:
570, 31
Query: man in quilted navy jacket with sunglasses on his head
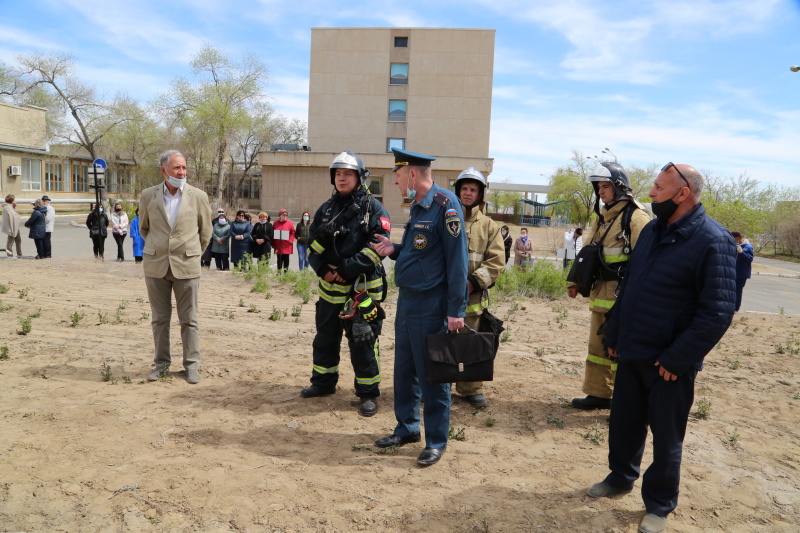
676, 302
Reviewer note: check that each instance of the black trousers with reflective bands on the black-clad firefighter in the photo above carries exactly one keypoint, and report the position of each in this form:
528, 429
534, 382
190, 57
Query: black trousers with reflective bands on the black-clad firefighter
327, 346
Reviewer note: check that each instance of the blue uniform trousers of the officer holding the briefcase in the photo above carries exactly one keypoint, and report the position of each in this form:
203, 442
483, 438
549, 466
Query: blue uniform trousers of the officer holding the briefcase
418, 315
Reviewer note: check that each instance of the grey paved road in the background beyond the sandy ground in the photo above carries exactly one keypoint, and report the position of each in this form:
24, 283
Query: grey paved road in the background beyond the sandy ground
762, 293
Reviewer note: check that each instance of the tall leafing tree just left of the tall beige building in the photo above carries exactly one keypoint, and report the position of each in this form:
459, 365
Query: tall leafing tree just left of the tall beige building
212, 108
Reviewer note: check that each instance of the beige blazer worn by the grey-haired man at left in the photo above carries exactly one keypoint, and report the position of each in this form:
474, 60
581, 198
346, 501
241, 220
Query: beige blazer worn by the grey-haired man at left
180, 247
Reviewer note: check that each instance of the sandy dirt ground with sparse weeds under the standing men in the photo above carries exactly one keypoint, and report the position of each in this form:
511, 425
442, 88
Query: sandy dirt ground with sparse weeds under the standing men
241, 451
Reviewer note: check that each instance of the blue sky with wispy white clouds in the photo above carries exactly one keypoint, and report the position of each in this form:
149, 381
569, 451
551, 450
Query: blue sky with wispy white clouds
690, 81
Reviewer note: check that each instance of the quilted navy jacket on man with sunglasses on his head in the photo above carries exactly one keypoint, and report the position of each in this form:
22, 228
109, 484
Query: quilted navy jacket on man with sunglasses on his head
677, 299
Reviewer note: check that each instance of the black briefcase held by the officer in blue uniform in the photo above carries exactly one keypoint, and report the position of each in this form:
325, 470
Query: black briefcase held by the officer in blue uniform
452, 357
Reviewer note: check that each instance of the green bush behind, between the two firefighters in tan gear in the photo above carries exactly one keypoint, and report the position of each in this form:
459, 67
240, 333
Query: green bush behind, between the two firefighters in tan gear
542, 280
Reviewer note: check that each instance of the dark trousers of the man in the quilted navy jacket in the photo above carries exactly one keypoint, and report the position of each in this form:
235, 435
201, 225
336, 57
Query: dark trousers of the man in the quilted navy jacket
643, 399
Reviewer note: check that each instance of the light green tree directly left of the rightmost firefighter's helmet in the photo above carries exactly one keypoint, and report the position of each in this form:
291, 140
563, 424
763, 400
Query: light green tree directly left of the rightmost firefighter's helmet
569, 183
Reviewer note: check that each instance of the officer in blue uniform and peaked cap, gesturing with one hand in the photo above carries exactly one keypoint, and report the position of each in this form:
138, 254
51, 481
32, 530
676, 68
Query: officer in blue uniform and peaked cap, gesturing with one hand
431, 272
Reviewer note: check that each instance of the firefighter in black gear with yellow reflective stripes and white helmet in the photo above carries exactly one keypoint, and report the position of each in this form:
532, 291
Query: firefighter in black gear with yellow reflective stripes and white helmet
351, 285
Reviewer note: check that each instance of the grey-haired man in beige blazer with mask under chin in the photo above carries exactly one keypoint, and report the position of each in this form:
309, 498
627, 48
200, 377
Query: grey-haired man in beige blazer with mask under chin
175, 221
